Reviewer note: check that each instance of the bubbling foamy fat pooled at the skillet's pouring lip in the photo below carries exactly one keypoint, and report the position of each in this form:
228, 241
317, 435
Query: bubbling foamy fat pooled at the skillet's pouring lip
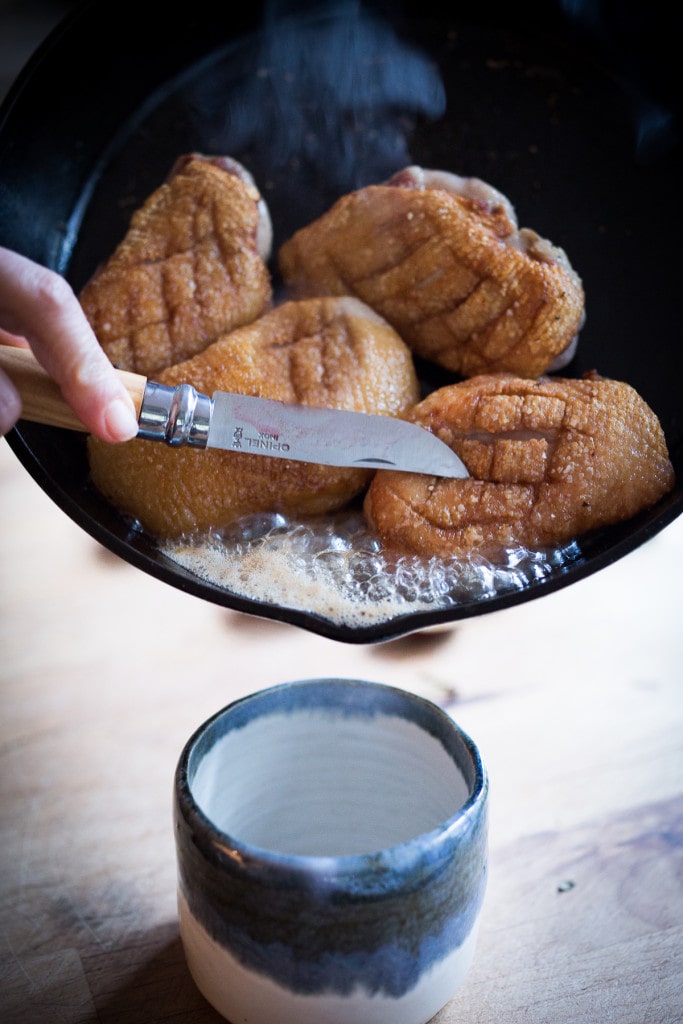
335, 569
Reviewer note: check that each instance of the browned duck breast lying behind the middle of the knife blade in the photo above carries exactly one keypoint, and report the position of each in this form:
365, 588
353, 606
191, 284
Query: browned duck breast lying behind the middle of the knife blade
329, 353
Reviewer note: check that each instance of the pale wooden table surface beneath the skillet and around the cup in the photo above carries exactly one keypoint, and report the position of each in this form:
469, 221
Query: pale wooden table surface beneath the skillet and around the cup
576, 701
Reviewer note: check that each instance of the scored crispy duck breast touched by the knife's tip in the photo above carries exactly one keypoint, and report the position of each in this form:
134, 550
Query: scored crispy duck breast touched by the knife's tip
549, 460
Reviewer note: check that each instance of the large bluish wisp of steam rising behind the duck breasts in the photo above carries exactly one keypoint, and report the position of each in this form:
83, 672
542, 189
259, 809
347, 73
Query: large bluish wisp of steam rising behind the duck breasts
317, 105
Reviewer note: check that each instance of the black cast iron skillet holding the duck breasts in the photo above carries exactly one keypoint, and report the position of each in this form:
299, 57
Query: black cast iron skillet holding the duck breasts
572, 118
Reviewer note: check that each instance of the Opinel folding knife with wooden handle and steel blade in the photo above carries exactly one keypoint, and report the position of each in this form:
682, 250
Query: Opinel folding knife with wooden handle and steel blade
182, 416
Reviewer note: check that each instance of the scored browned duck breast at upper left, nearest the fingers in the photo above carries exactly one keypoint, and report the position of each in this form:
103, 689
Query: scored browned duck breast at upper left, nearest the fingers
191, 268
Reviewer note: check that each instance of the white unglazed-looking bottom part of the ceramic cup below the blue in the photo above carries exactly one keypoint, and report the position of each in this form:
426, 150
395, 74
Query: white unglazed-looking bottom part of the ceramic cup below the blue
254, 999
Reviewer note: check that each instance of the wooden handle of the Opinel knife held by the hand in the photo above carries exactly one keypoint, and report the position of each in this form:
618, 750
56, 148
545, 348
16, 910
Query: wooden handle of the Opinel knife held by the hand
41, 398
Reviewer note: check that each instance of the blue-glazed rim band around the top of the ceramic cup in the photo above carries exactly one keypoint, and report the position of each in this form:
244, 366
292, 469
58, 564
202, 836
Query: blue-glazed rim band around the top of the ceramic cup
404, 859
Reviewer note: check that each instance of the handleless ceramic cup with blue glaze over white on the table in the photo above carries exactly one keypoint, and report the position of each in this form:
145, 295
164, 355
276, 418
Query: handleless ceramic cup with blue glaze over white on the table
331, 840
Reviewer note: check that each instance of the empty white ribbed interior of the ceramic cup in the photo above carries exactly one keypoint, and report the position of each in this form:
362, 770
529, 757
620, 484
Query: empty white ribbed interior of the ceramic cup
317, 783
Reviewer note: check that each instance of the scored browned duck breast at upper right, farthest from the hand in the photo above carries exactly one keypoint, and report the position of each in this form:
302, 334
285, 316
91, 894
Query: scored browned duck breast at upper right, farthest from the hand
442, 260
